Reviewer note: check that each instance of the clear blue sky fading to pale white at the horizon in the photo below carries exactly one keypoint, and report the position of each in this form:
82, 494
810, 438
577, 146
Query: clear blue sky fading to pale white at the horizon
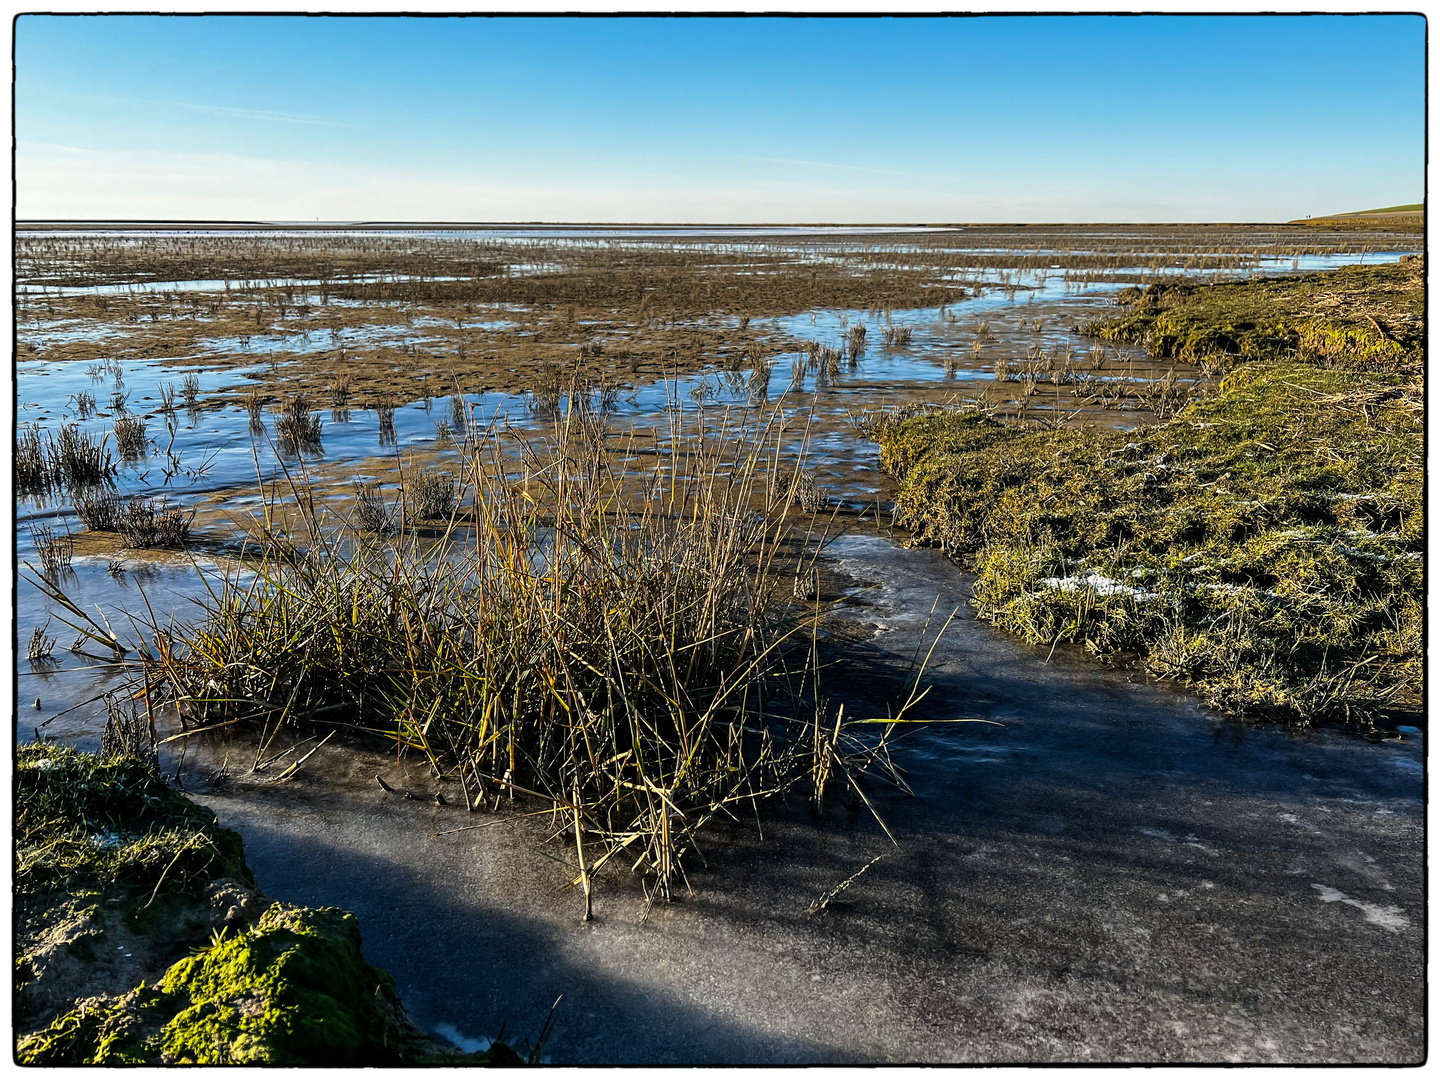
719, 120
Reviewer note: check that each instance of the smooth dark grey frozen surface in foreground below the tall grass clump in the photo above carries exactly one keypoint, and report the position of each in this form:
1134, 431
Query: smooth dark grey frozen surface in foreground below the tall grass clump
1112, 876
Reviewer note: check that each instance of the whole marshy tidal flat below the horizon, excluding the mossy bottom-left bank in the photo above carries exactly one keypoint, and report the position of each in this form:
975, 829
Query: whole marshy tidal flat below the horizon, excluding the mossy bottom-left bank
738, 637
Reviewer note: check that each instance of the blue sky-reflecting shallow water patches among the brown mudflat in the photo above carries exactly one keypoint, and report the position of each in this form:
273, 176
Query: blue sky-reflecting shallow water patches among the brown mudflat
217, 451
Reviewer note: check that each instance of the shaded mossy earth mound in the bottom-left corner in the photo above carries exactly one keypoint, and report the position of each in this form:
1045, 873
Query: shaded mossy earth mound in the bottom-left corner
110, 859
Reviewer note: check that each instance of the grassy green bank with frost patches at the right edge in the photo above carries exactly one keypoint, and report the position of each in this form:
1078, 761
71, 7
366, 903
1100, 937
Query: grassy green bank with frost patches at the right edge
1266, 546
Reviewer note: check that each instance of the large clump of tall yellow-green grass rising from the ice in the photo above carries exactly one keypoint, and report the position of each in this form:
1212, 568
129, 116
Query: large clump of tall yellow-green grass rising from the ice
616, 646
